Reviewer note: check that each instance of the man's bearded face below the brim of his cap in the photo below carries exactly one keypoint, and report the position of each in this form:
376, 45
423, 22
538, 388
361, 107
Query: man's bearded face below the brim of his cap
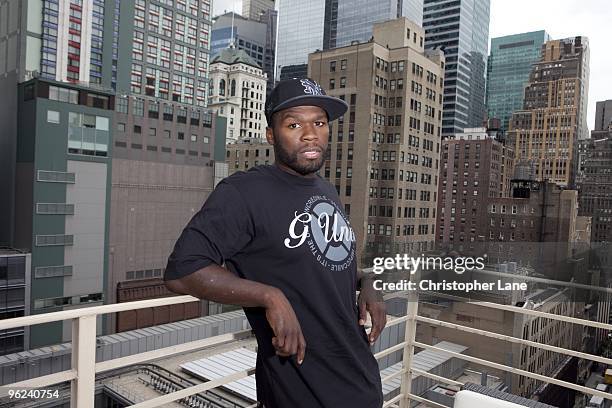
299, 136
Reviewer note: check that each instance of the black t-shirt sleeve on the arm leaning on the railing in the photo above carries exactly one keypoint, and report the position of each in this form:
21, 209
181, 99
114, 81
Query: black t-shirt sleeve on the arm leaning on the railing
219, 230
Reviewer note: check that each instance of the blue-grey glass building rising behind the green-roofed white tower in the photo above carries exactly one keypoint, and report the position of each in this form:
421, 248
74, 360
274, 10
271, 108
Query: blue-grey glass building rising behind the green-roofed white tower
256, 37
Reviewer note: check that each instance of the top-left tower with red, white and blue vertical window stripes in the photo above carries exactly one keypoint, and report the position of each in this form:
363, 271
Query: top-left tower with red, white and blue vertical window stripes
60, 40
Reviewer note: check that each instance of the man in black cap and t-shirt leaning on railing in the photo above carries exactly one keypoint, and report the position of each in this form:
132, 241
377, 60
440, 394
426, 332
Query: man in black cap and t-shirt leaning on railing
275, 240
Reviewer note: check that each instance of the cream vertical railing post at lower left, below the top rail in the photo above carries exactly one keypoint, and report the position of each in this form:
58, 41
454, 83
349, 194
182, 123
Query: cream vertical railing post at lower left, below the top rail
82, 389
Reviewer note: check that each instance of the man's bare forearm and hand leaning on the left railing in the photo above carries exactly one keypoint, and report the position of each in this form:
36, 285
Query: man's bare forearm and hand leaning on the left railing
218, 284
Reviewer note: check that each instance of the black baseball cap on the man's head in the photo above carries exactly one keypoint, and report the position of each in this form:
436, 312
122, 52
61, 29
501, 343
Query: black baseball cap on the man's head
301, 92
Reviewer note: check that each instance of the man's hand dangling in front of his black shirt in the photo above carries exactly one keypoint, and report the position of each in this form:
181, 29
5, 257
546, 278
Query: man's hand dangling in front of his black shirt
288, 338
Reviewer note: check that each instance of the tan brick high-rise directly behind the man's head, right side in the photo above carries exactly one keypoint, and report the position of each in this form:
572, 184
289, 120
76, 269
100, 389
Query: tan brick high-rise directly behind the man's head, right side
383, 154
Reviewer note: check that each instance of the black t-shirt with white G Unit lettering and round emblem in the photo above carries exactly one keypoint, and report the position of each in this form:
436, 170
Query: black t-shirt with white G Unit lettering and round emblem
290, 232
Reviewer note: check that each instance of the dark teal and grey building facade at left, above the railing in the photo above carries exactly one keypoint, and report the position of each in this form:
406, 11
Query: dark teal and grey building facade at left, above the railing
63, 197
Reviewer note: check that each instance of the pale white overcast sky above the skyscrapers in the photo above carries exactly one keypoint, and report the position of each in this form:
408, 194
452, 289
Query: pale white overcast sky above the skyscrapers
560, 18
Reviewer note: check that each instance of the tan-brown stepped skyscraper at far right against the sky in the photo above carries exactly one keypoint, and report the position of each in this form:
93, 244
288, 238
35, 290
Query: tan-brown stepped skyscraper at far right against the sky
554, 111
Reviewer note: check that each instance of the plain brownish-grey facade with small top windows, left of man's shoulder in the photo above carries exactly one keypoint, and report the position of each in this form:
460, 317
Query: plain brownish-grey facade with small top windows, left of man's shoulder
165, 162
